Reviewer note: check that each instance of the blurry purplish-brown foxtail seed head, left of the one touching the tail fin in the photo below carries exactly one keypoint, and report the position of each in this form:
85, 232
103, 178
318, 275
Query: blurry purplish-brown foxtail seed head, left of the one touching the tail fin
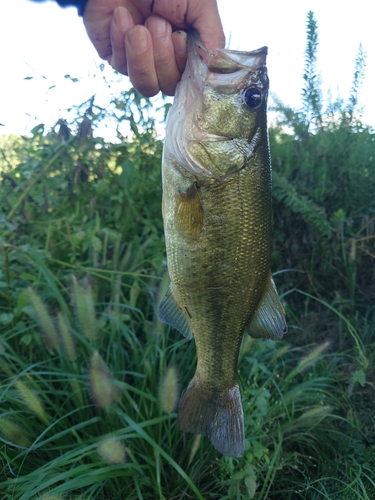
101, 382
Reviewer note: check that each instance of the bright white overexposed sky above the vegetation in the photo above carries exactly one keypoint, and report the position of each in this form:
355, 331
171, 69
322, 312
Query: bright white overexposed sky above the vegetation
42, 43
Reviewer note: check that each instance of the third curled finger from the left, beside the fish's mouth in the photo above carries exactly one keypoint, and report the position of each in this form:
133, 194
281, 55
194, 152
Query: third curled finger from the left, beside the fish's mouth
164, 56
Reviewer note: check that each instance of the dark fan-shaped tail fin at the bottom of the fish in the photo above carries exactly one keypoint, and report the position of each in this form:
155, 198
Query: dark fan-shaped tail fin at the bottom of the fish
215, 414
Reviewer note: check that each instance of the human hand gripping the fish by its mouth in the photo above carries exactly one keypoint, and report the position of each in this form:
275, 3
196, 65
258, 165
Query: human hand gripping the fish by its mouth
138, 37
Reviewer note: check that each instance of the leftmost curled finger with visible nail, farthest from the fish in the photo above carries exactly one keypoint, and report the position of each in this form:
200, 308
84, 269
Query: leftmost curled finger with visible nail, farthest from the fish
122, 21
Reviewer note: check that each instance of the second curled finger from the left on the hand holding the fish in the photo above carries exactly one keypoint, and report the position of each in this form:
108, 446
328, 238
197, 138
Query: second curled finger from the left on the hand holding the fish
140, 57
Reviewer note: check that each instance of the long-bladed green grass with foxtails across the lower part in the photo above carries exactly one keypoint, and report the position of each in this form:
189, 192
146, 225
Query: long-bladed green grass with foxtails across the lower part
84, 387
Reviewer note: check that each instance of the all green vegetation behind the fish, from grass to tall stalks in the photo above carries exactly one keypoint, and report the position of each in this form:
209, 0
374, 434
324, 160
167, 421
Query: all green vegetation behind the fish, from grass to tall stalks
89, 379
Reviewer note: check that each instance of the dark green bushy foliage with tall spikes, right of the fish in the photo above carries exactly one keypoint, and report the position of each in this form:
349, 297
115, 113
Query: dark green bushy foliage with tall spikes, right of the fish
324, 180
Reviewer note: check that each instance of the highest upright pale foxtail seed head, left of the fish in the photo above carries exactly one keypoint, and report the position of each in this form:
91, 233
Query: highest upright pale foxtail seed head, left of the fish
85, 309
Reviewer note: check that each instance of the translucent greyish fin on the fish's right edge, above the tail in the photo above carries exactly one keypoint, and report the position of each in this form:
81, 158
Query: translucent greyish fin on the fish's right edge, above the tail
268, 321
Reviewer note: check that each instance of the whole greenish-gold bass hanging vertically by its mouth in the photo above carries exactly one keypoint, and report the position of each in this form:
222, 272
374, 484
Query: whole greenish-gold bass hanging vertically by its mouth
217, 212
